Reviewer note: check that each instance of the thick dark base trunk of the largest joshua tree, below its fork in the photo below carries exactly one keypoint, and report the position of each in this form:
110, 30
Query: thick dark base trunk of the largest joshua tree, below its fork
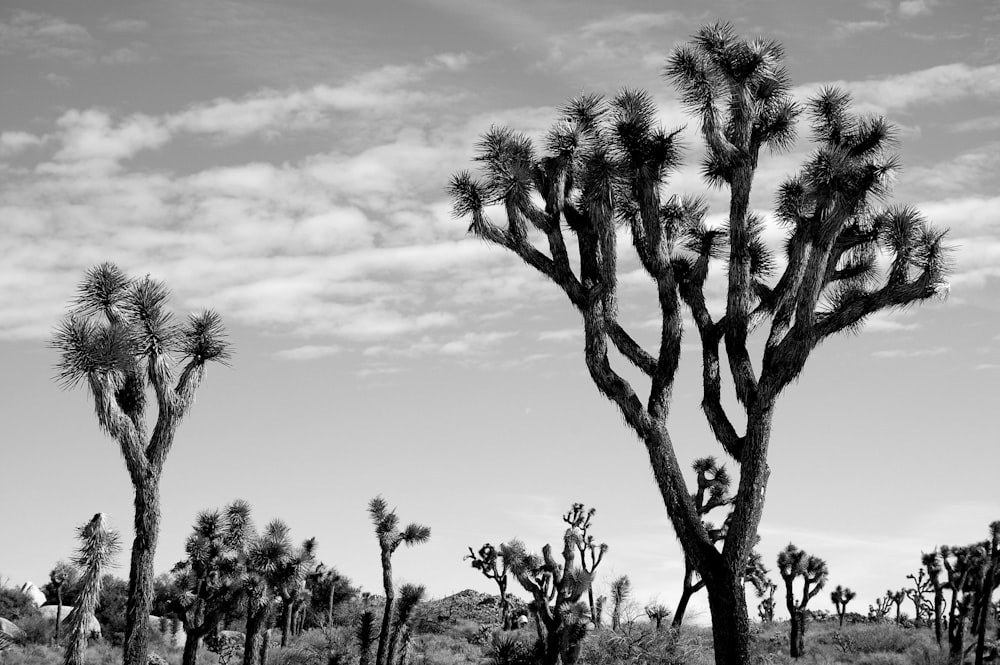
730, 624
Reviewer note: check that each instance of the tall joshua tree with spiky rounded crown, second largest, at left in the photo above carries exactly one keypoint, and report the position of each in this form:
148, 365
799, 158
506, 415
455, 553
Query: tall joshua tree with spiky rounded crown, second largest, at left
120, 339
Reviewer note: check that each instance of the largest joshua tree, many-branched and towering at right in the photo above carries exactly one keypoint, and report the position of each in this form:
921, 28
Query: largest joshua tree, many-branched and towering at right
605, 165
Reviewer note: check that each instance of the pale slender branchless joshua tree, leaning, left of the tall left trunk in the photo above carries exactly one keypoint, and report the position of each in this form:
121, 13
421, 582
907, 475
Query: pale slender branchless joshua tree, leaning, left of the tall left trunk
98, 547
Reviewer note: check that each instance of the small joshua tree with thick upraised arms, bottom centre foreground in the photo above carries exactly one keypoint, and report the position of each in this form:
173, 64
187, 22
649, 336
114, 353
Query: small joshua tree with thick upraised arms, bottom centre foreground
556, 590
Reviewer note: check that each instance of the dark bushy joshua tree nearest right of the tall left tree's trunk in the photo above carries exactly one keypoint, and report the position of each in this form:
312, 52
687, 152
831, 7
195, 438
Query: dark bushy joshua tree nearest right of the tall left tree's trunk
209, 582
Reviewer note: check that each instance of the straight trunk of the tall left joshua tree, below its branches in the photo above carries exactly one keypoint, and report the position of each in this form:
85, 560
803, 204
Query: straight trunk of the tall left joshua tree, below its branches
140, 585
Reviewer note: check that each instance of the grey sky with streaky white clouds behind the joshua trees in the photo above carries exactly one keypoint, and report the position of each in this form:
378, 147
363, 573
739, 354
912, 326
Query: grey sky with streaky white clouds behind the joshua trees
286, 164
